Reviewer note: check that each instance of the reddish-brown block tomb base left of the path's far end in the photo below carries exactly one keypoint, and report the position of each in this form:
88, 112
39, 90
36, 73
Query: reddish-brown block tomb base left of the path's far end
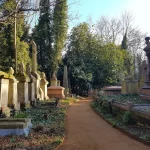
55, 92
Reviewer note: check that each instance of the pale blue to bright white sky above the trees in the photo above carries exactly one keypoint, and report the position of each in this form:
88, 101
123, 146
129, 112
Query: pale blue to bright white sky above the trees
140, 9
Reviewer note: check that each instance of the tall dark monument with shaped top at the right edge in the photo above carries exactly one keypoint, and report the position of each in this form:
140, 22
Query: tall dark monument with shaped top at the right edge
145, 91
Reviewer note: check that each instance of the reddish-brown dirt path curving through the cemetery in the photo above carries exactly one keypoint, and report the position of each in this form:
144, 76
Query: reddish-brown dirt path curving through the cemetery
87, 131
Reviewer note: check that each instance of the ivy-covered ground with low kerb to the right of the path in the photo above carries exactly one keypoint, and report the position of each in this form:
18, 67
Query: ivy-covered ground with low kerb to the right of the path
123, 120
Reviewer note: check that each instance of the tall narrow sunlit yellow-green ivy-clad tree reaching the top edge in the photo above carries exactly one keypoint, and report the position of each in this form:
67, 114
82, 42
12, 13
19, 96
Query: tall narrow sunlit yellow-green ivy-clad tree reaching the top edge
60, 29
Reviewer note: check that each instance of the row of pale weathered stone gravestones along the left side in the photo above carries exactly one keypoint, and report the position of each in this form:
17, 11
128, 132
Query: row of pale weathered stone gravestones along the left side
21, 90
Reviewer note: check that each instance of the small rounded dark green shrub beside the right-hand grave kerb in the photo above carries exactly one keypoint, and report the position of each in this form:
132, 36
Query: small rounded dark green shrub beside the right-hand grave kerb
127, 118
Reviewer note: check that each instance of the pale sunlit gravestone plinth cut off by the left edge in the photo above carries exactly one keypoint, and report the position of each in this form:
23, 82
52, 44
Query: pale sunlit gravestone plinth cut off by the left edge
4, 86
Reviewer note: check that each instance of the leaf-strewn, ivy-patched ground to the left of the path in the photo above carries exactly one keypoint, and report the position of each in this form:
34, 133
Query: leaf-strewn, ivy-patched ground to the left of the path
48, 127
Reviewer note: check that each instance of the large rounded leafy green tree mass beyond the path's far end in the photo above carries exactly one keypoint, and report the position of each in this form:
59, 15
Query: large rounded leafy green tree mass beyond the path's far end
89, 62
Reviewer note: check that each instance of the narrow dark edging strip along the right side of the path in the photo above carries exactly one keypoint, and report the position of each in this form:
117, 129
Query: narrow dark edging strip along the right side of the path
123, 131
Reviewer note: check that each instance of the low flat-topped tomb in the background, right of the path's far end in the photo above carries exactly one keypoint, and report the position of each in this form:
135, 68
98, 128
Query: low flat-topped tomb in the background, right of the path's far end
112, 90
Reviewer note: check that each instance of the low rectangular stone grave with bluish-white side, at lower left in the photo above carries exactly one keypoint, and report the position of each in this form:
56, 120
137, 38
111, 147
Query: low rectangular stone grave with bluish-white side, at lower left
15, 126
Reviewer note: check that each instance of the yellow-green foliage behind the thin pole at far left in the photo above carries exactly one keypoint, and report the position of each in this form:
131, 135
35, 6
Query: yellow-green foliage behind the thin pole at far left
7, 53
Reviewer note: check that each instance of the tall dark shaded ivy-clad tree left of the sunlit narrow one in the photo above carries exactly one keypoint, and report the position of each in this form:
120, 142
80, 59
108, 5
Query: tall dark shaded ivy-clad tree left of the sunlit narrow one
43, 37
